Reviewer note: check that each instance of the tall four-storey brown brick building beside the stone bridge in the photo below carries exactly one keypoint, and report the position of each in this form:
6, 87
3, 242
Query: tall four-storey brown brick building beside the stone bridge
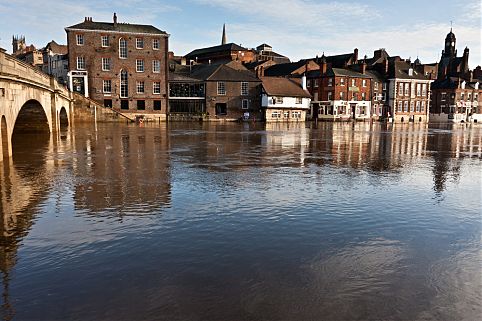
120, 65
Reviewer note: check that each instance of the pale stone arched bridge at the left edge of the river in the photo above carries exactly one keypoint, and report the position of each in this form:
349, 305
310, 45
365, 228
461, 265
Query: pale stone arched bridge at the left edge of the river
30, 102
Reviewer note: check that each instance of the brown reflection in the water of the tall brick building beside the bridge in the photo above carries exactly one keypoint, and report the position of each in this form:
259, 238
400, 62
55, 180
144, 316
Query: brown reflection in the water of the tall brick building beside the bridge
122, 170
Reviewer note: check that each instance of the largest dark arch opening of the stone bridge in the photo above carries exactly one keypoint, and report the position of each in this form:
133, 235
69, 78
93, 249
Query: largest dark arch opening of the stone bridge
31, 119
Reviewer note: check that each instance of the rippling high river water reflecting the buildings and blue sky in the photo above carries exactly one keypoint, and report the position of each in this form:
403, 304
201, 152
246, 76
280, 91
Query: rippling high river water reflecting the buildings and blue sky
188, 221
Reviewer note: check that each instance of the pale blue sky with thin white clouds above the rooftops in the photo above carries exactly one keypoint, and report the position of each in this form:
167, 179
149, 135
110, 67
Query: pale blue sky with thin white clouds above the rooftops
297, 28
